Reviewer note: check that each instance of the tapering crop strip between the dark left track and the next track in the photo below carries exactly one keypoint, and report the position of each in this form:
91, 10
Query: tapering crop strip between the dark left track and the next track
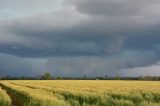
30, 97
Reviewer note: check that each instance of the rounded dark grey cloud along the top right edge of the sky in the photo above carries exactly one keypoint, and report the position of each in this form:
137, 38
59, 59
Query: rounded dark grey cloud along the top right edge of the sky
115, 7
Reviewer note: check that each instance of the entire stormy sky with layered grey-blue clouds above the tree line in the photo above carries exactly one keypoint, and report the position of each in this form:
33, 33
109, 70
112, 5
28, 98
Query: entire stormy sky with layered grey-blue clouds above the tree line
80, 37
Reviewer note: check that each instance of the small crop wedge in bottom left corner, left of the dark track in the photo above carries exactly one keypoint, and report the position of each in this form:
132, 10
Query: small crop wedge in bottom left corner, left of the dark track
4, 98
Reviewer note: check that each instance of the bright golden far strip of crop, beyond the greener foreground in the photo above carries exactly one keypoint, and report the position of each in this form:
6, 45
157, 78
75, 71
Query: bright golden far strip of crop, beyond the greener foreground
95, 85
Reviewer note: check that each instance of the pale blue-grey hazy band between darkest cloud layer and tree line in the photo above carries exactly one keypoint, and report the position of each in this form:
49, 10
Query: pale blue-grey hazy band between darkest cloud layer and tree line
77, 66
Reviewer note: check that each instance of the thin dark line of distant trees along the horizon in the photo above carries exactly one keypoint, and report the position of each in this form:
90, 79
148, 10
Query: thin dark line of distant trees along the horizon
48, 76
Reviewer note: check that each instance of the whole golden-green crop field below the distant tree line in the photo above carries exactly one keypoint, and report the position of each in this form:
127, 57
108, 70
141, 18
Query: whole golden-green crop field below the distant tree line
79, 93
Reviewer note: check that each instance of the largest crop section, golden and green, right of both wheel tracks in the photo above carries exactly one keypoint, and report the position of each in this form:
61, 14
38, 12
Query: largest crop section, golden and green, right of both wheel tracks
100, 93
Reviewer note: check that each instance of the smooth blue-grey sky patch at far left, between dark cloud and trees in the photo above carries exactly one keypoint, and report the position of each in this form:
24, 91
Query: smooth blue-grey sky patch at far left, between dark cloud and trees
17, 66
